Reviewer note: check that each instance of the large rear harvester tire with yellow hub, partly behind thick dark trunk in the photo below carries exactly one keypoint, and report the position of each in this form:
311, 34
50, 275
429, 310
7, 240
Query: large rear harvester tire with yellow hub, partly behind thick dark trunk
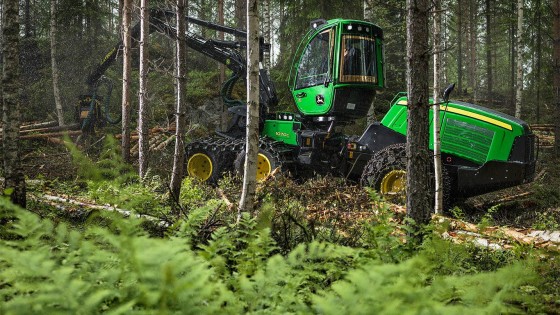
386, 173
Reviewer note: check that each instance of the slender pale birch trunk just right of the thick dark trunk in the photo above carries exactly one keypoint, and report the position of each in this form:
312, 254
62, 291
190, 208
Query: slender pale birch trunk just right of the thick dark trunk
435, 108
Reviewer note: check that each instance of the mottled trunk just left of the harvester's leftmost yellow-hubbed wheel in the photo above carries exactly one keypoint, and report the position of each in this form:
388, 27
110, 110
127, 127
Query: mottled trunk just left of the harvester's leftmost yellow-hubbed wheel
180, 122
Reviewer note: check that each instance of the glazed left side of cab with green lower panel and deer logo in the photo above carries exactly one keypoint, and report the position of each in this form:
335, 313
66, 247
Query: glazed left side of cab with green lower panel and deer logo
313, 89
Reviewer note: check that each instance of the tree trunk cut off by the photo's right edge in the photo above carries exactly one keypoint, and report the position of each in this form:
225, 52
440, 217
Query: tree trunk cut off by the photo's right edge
556, 69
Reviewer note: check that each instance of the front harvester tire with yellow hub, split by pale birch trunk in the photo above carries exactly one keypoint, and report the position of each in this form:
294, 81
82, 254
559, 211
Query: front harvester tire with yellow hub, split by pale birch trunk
268, 160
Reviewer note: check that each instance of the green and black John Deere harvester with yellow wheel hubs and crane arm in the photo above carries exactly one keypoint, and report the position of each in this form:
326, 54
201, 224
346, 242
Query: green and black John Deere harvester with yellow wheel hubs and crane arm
337, 70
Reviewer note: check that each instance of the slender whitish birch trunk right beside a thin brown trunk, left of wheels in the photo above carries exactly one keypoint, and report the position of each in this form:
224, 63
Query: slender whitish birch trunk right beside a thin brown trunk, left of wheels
143, 134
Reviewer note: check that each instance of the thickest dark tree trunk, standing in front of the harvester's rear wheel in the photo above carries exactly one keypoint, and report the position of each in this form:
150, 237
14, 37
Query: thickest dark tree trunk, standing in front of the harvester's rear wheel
418, 156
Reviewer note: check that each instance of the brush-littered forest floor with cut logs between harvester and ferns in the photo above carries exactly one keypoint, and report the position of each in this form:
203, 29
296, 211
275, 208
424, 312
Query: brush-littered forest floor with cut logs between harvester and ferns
488, 232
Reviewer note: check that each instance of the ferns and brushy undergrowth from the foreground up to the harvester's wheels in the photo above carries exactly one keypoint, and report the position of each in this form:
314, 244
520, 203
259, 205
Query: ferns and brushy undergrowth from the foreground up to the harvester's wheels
345, 252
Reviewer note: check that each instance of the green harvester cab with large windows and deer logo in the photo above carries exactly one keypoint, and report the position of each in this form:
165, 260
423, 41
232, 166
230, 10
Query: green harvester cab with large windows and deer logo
339, 67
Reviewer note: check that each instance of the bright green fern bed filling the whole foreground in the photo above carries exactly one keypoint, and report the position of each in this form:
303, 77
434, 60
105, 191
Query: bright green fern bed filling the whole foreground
53, 268
